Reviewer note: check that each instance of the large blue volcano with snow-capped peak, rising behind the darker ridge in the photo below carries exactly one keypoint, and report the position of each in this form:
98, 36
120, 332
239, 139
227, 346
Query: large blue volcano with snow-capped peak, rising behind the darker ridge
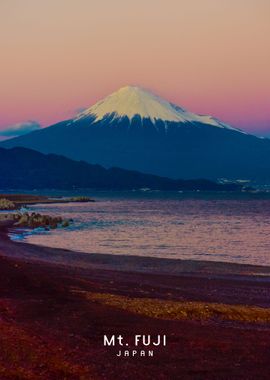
135, 129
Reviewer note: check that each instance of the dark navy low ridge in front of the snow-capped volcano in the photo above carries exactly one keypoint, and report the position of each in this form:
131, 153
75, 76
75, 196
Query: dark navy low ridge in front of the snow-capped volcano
22, 168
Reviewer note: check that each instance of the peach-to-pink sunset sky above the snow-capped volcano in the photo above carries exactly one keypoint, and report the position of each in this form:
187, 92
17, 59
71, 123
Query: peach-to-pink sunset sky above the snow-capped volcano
209, 56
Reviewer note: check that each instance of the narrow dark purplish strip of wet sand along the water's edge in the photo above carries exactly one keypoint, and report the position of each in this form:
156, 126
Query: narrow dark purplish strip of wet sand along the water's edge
132, 263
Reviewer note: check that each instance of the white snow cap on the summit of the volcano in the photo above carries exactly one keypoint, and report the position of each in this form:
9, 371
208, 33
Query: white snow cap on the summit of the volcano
133, 100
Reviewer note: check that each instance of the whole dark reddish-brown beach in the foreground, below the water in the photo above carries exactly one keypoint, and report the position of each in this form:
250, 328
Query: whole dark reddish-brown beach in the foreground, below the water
56, 305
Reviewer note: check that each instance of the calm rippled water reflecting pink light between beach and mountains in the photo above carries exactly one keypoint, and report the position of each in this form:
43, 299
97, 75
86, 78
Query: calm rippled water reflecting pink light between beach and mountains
170, 225
